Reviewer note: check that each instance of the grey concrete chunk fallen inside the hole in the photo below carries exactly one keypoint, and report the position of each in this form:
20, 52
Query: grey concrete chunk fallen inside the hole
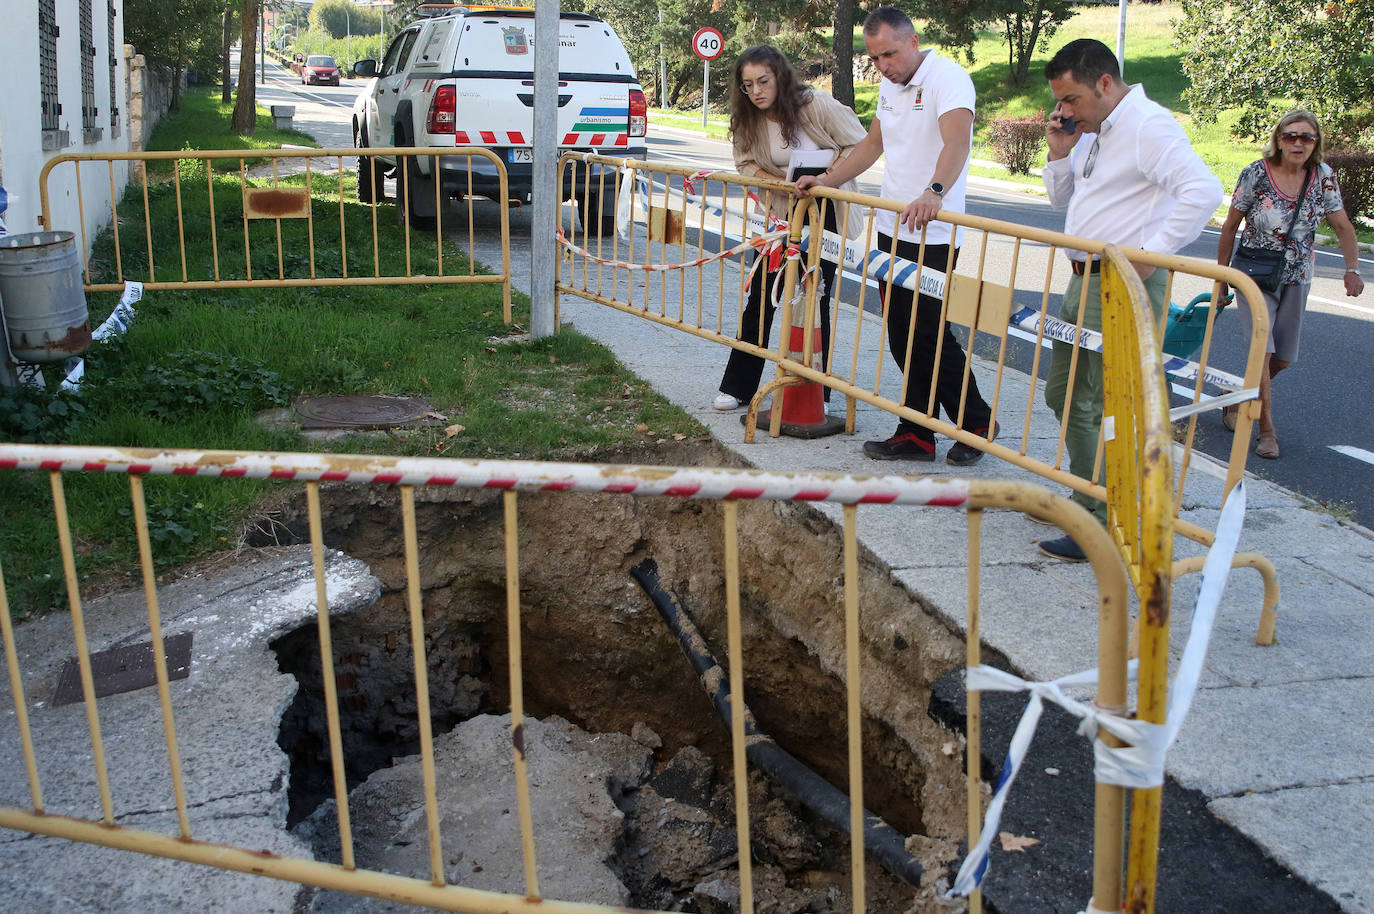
574, 777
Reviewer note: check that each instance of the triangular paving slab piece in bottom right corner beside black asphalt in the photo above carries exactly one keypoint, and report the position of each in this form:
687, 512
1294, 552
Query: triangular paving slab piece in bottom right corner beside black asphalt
1320, 831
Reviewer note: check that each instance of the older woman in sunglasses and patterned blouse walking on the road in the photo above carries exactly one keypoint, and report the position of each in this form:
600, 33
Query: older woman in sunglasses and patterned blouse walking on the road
1291, 177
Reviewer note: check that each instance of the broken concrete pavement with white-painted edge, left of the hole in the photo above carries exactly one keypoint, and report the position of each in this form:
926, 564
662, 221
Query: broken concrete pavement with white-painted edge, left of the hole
227, 713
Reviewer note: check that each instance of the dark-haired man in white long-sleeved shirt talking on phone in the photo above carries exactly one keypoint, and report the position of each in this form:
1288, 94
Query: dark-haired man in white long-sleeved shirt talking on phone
1125, 171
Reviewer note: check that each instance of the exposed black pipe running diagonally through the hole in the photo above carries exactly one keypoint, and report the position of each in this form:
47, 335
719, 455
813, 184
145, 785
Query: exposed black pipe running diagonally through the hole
884, 843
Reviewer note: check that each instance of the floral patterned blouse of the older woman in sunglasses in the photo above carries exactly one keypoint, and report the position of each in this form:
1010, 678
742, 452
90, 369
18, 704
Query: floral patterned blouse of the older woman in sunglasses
1269, 211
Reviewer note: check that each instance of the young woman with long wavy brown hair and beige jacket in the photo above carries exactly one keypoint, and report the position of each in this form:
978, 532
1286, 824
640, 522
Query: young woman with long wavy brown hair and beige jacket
772, 115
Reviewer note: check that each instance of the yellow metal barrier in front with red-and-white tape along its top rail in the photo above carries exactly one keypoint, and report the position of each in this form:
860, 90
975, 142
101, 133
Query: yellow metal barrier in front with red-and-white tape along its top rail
515, 480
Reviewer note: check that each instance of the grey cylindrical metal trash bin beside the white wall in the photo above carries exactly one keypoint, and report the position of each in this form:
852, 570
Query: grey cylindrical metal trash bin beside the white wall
42, 295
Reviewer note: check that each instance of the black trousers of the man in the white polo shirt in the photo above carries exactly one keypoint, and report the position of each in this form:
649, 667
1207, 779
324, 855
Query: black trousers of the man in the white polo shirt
949, 375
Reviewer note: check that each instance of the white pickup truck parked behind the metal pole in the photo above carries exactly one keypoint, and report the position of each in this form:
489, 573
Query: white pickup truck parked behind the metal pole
468, 79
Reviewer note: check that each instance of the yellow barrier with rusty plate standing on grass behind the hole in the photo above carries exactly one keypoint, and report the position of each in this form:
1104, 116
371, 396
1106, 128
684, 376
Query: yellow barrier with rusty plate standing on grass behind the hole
241, 219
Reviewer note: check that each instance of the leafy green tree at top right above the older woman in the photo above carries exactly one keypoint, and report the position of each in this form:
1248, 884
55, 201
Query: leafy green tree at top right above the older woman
1257, 56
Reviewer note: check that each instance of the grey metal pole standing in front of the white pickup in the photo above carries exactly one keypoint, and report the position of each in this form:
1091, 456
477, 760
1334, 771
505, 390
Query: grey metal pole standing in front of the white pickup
546, 181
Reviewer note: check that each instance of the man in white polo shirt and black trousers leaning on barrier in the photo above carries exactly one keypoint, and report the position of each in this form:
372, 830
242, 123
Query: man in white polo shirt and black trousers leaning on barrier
925, 129
